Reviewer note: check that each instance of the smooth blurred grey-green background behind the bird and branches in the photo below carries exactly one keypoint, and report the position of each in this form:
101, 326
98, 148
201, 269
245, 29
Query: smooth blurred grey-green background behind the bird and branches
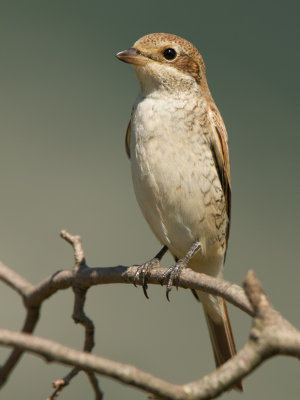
64, 107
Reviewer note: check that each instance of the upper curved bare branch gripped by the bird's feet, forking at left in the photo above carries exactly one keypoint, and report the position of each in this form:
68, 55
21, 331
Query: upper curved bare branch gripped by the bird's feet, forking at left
33, 296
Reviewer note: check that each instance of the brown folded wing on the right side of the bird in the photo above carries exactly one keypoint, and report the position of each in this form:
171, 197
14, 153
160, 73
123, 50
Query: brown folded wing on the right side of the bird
219, 147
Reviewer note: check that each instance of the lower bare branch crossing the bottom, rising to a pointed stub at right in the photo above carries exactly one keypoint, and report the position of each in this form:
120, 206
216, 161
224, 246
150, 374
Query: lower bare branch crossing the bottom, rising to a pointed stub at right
270, 335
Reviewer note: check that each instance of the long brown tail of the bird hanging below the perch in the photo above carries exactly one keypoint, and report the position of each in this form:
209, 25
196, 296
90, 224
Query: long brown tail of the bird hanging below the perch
219, 330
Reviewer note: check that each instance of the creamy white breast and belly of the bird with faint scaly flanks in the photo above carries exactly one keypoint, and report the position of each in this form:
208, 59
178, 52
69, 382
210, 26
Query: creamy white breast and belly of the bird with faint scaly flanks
174, 175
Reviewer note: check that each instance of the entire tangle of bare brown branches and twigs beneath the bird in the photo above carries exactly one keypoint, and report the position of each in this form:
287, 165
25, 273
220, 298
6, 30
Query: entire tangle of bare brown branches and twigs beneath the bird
270, 335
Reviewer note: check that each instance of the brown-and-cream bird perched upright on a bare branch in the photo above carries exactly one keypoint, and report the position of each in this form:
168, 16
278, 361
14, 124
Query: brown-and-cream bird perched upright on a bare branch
178, 147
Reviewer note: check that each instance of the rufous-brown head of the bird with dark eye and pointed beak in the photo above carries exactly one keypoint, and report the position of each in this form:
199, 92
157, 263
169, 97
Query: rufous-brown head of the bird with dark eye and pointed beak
166, 62
